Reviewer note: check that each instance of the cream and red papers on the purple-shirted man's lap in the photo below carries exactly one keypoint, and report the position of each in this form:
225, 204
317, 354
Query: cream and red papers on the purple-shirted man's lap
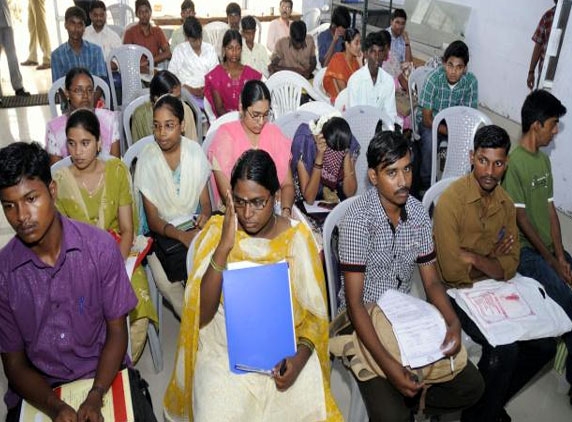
117, 405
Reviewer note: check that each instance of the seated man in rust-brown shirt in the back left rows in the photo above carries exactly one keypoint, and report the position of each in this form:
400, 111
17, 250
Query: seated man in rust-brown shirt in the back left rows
149, 36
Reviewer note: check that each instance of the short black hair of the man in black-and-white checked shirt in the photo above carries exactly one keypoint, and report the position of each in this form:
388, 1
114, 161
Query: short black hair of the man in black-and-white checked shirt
386, 148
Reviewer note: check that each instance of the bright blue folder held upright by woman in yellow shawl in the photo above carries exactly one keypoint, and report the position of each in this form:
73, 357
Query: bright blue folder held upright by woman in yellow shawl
259, 317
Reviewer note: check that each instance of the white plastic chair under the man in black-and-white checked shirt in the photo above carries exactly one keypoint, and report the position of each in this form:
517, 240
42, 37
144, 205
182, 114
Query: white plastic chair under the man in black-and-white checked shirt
357, 410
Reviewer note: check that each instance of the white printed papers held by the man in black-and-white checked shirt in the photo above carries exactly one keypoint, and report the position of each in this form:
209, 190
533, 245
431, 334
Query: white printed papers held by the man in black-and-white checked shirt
418, 326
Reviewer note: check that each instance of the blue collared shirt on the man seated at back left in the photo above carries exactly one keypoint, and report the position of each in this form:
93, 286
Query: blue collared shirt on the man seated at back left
90, 56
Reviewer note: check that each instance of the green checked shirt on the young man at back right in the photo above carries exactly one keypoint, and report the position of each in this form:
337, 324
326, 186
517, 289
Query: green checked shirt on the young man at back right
438, 94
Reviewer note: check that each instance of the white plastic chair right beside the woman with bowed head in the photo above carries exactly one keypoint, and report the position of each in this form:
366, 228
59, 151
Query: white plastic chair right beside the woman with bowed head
363, 121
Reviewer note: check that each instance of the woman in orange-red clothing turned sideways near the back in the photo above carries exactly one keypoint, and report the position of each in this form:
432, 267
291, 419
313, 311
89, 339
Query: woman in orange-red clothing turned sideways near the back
343, 64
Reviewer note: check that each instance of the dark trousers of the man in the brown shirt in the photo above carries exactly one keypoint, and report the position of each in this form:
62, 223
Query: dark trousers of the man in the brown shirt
505, 369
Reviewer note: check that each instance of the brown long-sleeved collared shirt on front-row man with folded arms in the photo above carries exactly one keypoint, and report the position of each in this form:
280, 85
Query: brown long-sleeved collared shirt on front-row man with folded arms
464, 220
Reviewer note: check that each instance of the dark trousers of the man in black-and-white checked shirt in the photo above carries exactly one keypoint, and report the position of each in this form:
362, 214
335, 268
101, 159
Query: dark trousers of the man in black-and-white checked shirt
385, 403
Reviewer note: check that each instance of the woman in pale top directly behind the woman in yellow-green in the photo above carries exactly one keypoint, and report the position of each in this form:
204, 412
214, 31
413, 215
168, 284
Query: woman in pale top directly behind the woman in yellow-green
79, 92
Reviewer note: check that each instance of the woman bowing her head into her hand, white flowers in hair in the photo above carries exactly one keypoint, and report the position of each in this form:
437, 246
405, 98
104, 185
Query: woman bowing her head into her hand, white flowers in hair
324, 153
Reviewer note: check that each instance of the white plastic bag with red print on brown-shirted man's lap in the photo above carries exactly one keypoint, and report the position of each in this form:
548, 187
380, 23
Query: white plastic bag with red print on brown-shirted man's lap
518, 309
